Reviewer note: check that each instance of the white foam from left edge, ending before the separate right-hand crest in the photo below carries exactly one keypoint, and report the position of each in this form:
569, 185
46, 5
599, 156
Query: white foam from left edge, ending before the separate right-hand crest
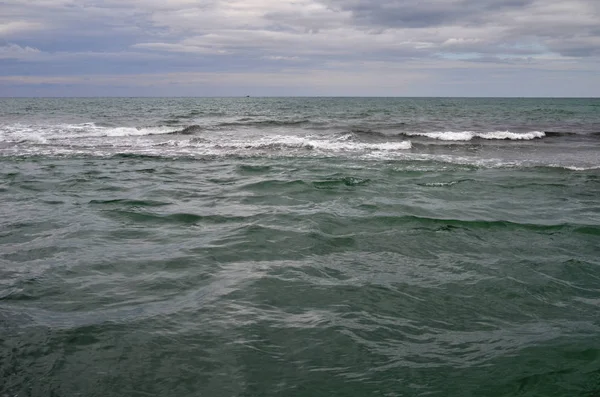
89, 138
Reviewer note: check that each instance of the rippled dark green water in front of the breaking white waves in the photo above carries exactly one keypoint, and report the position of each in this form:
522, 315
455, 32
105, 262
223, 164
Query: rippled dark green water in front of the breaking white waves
298, 277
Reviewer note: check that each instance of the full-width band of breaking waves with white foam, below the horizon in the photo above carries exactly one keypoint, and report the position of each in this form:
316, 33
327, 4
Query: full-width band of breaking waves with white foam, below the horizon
199, 141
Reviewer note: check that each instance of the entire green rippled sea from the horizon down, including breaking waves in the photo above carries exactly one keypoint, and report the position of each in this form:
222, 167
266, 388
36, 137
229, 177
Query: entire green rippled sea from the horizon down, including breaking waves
299, 247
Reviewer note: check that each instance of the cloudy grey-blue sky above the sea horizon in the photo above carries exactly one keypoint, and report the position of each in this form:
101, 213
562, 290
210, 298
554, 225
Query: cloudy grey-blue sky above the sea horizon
508, 48
